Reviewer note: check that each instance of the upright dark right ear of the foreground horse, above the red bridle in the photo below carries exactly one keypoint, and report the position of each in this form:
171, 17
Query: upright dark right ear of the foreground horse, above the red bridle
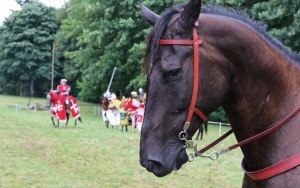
190, 14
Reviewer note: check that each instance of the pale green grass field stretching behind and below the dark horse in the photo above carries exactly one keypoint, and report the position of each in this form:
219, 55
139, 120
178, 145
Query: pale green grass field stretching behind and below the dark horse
35, 154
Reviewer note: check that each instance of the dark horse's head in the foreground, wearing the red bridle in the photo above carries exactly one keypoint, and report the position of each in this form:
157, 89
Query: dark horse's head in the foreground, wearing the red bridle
170, 86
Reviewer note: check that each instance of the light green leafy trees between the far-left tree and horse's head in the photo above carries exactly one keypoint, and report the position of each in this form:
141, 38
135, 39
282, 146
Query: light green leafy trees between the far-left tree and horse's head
108, 35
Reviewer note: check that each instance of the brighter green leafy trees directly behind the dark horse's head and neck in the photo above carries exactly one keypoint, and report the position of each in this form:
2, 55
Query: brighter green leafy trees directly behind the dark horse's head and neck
106, 34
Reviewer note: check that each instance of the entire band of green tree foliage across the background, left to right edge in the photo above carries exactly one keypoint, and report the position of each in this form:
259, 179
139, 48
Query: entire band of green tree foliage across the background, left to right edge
98, 35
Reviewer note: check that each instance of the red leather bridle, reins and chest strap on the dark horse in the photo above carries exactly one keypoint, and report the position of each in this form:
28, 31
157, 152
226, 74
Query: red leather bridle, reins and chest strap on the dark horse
263, 174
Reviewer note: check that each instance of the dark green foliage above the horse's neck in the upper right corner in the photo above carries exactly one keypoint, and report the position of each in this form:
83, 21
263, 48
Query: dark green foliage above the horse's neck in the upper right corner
280, 16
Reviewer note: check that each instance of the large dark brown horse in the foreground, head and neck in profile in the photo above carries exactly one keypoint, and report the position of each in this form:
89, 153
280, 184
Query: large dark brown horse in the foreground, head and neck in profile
241, 67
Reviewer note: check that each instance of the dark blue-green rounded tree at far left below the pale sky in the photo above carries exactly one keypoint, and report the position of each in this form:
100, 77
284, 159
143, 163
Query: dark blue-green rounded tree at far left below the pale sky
26, 41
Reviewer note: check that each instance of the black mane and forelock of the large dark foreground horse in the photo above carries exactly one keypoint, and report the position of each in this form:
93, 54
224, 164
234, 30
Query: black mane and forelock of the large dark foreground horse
152, 48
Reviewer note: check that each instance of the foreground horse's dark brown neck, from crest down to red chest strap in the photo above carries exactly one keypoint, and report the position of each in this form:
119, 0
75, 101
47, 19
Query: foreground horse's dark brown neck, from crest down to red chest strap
263, 91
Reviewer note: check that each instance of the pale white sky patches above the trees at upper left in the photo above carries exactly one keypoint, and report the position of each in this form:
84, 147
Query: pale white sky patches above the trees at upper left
7, 5
